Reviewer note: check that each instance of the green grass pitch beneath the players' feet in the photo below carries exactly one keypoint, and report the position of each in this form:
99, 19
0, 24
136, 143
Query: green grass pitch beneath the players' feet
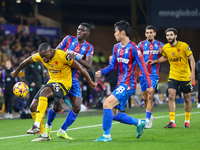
87, 128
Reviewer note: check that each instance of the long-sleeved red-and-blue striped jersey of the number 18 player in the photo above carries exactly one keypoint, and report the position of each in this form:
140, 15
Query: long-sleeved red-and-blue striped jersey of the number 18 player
126, 59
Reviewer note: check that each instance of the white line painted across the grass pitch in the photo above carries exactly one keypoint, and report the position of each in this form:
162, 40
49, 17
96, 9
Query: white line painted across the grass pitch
9, 137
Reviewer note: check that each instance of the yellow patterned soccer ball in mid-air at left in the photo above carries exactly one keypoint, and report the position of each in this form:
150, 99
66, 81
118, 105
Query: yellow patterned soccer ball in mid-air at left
20, 89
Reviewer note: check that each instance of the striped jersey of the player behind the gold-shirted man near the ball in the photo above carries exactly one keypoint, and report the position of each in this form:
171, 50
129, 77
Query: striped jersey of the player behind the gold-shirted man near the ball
71, 45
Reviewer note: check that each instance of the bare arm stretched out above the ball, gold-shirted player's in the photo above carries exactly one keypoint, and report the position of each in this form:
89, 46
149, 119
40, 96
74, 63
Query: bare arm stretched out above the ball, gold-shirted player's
21, 66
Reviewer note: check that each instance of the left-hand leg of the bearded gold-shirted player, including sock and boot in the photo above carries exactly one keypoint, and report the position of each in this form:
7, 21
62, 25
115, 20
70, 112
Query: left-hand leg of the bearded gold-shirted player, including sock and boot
172, 108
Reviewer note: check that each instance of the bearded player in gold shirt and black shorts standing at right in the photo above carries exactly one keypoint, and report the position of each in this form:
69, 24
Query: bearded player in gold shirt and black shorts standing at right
180, 75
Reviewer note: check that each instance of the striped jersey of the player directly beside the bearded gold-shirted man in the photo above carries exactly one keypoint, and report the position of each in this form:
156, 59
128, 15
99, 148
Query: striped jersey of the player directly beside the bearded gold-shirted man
150, 52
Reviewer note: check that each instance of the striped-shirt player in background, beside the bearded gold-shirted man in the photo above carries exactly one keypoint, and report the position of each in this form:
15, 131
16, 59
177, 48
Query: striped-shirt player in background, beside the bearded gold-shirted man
150, 51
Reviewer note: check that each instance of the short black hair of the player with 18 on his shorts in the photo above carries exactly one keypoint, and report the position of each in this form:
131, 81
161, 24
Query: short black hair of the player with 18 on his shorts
123, 25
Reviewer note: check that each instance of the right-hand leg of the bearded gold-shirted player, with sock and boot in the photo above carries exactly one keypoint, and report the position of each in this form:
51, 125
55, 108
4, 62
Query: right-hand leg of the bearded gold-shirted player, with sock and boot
188, 107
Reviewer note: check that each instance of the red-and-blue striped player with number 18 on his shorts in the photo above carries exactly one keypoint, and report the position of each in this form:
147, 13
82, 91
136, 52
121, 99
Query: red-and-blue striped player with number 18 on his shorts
125, 56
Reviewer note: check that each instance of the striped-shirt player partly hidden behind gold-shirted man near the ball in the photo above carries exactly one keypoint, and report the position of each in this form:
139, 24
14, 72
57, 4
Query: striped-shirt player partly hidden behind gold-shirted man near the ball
82, 51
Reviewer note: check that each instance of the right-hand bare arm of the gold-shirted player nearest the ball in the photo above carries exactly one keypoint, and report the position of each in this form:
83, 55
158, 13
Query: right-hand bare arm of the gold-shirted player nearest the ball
78, 66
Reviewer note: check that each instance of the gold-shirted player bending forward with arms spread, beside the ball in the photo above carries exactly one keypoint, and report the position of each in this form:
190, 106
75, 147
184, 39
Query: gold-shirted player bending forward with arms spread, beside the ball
59, 66
